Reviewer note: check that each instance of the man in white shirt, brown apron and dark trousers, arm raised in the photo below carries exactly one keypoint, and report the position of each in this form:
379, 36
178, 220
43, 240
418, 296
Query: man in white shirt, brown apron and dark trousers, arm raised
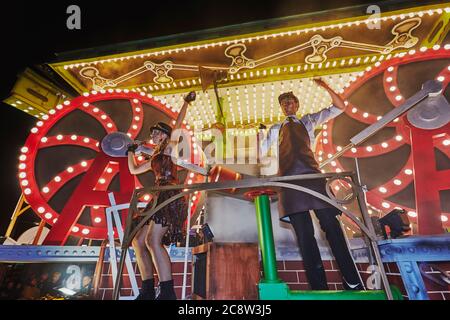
295, 139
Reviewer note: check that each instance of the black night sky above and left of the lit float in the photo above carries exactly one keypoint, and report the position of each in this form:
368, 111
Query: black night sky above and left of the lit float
33, 31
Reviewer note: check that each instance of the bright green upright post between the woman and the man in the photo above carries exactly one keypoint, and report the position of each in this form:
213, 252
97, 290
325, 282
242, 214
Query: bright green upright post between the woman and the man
265, 237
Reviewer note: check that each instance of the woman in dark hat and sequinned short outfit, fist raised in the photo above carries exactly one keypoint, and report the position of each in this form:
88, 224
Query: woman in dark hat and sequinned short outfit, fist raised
165, 226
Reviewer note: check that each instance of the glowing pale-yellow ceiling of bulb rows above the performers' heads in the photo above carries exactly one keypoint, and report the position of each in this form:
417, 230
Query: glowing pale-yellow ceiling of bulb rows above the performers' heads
259, 102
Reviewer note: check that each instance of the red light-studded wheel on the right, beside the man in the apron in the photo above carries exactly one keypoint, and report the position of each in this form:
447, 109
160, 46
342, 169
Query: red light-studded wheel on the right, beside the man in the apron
386, 159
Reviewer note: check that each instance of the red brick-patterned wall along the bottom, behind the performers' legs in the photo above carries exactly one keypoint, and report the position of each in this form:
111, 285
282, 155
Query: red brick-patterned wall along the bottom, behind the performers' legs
291, 272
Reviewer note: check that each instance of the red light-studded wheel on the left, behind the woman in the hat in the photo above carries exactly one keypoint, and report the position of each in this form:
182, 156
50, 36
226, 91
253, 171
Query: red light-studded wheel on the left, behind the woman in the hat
66, 177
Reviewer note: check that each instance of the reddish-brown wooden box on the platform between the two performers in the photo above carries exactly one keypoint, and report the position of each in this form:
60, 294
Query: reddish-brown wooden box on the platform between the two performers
225, 271
